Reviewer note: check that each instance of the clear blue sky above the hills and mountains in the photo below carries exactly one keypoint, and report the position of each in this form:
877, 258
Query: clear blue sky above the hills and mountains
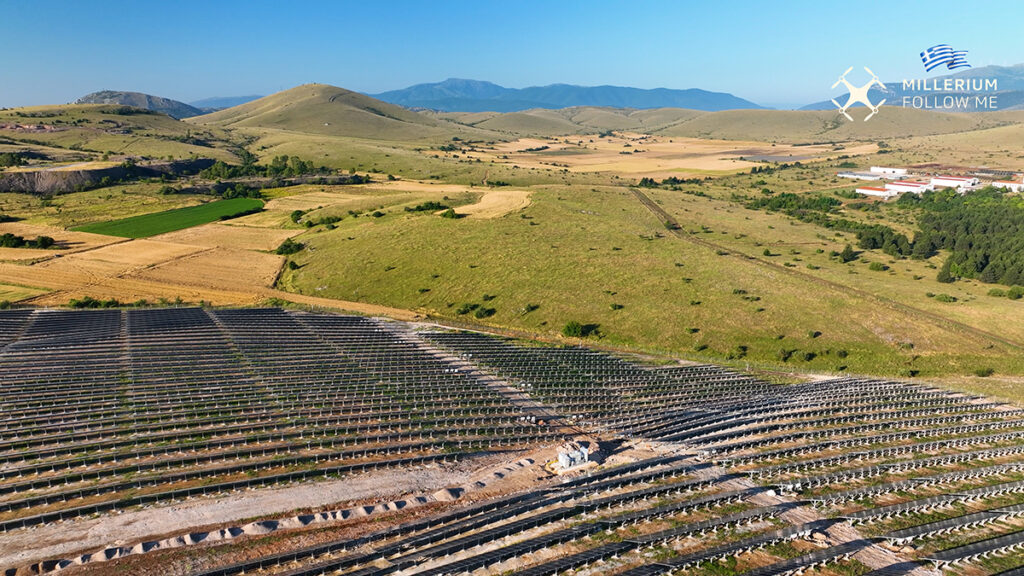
776, 54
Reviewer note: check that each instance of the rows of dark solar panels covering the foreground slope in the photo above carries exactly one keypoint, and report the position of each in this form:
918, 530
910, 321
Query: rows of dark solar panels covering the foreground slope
755, 478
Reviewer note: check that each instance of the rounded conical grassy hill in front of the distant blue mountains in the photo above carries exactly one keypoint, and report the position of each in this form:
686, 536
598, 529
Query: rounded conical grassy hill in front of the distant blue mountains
321, 109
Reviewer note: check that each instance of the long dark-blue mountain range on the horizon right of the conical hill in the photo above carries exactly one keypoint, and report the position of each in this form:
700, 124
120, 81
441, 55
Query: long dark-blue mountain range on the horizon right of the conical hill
457, 95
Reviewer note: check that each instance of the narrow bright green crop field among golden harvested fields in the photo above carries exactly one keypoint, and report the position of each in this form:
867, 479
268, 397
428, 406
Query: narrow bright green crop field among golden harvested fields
170, 221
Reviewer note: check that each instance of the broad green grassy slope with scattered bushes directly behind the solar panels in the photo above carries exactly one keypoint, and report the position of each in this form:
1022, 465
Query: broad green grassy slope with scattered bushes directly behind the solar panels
577, 251
